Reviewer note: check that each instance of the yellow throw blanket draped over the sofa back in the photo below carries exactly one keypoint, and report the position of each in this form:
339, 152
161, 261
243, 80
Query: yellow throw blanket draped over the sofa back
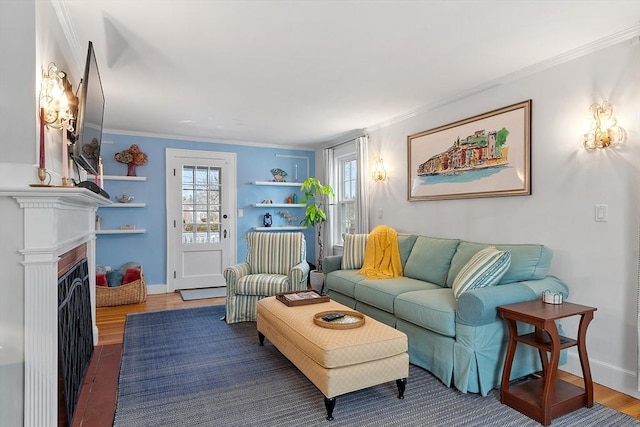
382, 255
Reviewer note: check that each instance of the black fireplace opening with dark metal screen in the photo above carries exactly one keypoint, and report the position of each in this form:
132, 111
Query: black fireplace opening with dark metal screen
75, 333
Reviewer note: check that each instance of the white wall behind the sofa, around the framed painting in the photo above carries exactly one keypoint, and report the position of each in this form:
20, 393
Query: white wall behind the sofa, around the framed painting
597, 260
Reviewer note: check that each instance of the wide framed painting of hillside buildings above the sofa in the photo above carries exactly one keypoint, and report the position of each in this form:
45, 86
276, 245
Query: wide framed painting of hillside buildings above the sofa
488, 155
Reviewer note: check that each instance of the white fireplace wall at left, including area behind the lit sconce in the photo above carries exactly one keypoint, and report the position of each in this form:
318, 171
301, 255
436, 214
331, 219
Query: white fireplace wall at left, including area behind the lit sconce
30, 38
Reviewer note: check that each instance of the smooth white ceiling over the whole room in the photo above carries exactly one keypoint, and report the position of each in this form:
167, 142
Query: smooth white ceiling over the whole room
305, 72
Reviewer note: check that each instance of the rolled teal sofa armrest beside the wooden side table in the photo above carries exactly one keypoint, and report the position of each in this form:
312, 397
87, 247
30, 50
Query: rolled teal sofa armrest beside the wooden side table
479, 306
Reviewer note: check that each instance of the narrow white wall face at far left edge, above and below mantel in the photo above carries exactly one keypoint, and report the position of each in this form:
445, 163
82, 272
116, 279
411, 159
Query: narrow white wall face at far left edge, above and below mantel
17, 147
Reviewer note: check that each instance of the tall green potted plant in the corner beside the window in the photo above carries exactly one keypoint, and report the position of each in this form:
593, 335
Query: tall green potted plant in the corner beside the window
316, 196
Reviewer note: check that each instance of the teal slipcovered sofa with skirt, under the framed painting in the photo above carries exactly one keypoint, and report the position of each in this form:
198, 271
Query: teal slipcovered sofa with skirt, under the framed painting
462, 342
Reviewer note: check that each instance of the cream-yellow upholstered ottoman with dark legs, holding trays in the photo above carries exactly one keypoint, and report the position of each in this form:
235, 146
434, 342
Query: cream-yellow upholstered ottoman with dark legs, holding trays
335, 361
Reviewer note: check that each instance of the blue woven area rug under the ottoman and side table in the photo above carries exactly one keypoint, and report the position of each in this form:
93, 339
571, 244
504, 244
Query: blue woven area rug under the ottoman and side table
189, 368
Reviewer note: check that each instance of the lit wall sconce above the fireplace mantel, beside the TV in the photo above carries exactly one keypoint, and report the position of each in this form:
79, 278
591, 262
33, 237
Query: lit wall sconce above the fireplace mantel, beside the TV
56, 97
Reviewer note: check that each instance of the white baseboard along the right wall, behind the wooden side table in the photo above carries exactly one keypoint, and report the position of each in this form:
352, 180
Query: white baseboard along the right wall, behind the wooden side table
622, 380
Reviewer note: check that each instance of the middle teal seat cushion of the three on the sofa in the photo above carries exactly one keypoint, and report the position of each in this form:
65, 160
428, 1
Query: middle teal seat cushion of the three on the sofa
380, 293
